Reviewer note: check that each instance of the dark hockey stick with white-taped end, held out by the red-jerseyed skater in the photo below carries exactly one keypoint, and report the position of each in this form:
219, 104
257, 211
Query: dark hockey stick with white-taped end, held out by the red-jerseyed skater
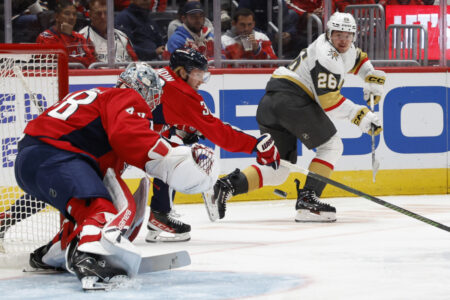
344, 187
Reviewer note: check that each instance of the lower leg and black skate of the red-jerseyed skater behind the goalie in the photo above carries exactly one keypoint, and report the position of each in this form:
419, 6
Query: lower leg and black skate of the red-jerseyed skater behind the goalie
162, 225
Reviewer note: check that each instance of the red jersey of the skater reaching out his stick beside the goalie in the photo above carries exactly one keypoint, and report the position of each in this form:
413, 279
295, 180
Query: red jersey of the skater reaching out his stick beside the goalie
182, 105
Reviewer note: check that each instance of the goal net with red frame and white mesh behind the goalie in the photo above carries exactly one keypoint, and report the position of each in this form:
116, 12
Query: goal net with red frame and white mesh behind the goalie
32, 78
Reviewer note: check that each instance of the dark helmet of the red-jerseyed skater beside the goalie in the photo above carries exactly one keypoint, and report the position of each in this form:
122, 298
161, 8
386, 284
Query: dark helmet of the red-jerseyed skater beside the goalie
189, 59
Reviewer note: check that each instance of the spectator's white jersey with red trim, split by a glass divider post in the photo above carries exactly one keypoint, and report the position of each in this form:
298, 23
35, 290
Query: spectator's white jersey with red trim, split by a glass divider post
124, 49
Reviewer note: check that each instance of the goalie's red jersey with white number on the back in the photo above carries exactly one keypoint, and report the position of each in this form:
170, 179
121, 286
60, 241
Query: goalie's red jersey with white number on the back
99, 123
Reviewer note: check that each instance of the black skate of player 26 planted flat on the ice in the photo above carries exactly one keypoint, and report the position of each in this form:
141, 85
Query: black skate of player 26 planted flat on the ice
310, 209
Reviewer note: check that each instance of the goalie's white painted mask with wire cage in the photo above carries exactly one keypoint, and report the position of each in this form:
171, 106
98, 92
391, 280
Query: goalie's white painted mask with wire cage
142, 78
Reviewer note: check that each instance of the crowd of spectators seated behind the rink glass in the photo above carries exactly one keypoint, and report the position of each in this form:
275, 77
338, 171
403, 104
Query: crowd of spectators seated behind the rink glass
141, 34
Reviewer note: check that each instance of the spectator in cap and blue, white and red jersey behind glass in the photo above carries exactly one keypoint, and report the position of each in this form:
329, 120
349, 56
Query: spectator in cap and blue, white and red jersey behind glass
192, 34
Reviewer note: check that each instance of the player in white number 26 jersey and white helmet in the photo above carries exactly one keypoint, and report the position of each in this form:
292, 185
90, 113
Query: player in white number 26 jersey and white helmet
300, 101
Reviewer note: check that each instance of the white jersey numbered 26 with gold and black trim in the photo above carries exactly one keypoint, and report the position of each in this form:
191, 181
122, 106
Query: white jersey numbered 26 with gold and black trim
318, 72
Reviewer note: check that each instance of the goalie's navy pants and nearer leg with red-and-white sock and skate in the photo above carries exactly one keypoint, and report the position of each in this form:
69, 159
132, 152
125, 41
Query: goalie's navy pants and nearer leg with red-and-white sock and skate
69, 183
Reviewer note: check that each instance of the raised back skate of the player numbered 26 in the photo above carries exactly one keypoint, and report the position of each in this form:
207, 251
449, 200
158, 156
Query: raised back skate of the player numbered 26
216, 199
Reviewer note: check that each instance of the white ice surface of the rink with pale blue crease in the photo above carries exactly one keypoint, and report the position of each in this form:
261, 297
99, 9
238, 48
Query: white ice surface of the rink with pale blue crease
259, 252
